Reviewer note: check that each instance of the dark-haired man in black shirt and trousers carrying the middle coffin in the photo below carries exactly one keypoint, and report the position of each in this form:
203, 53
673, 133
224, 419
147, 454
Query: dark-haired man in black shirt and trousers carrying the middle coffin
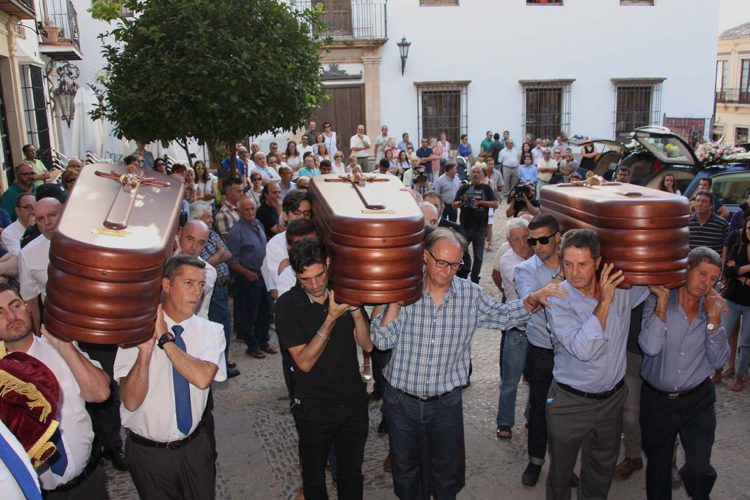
330, 402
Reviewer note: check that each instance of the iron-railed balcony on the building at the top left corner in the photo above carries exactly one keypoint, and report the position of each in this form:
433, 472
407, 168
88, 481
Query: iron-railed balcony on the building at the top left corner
61, 41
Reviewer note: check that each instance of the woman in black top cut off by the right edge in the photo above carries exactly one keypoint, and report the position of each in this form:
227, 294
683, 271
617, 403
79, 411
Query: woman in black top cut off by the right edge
738, 301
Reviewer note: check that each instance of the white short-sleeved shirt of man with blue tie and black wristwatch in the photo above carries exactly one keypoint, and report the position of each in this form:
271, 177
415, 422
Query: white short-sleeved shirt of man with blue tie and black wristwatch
156, 418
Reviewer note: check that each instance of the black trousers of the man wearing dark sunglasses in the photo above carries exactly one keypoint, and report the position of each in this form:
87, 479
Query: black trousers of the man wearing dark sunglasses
538, 372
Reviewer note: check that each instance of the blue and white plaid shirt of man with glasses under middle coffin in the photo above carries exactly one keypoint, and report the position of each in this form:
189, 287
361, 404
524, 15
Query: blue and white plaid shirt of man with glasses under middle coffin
432, 345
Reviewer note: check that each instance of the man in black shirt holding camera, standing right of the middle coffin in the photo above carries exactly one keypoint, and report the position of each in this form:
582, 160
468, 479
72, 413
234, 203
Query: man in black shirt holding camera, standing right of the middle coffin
475, 200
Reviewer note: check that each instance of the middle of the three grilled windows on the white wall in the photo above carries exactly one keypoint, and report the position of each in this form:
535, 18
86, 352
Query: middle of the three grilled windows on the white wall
546, 108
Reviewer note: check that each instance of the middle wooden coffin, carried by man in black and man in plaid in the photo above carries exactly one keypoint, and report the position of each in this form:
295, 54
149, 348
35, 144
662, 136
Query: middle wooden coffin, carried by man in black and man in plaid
374, 236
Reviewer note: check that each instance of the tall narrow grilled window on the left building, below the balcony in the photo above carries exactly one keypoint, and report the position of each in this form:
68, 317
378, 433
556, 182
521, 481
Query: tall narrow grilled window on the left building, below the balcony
35, 111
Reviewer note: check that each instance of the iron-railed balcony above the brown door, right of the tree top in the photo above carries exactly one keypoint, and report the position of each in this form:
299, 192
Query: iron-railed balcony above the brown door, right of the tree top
350, 21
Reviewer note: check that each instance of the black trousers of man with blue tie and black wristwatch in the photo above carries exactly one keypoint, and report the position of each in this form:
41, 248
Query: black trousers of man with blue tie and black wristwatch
185, 473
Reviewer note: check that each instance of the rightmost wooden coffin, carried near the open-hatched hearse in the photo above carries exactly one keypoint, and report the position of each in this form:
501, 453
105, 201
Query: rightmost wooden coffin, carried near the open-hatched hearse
643, 231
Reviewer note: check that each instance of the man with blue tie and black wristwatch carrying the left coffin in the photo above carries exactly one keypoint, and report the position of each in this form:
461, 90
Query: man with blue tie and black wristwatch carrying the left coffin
164, 387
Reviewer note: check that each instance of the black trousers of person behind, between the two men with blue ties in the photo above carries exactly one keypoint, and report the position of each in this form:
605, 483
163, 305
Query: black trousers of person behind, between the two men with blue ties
105, 416
